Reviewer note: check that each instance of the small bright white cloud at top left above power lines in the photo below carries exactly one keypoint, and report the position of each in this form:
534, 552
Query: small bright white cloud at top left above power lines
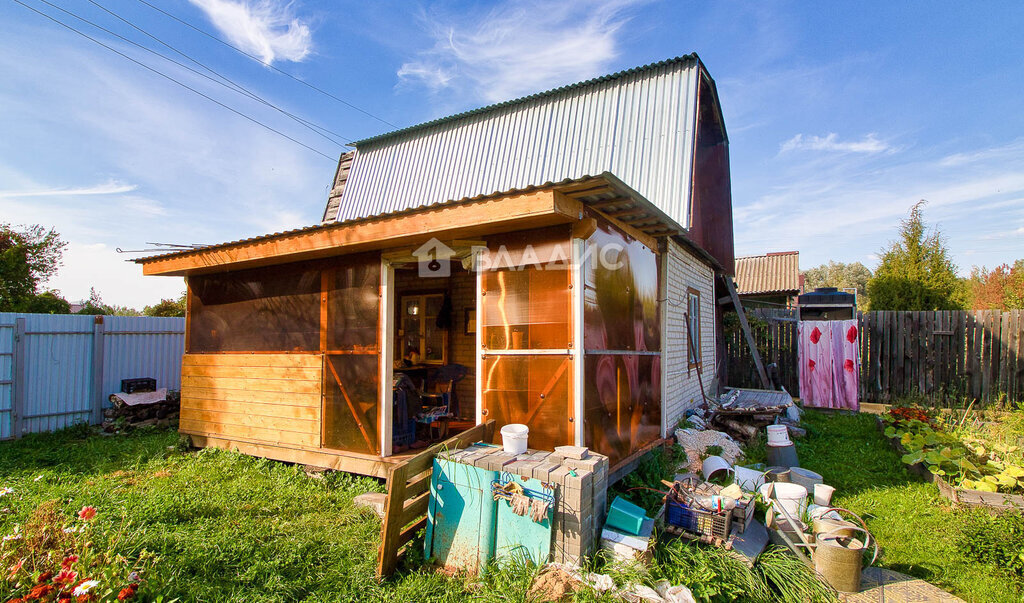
268, 29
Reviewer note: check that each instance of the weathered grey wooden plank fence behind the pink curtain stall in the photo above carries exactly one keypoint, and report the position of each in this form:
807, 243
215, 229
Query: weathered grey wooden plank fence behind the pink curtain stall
945, 357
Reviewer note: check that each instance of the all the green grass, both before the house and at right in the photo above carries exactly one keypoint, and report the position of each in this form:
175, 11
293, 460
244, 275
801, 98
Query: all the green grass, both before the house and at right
212, 526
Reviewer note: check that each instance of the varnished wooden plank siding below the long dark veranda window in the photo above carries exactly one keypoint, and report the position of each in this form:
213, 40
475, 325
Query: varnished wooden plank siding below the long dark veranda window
263, 399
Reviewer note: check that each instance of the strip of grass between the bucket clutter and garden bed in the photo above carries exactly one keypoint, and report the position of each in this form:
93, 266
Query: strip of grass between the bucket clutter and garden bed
918, 530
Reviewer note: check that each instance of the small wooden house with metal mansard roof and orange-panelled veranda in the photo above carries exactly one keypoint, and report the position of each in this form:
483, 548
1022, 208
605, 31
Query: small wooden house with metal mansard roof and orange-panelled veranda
563, 248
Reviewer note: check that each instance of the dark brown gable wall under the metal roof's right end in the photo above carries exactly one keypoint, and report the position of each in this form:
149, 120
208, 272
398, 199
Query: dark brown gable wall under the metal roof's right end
711, 205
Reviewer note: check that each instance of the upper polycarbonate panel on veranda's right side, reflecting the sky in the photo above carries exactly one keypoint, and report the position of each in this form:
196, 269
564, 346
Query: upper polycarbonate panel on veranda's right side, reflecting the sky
621, 308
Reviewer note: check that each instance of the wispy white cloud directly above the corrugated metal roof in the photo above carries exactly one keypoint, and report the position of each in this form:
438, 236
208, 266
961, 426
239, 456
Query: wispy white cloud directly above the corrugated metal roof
520, 48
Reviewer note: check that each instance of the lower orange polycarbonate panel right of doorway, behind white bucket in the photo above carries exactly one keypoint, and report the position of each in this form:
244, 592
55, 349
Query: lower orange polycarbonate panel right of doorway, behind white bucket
535, 391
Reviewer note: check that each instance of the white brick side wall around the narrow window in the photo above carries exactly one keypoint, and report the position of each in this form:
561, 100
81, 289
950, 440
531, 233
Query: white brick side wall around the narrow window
681, 271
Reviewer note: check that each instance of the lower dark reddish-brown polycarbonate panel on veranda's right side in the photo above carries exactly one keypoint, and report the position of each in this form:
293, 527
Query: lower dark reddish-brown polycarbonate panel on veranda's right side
622, 404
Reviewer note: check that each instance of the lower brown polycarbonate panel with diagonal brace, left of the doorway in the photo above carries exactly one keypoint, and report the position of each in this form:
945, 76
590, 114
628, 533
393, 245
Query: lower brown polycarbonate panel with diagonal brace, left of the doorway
351, 412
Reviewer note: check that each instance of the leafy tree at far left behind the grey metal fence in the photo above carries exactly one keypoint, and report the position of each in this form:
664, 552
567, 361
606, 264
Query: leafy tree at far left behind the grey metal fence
29, 256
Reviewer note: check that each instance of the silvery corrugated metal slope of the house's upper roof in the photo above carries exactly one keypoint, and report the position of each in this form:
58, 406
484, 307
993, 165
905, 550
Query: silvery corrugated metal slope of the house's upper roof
637, 124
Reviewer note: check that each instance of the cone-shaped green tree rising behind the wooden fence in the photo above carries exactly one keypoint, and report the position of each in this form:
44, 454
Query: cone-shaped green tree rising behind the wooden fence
917, 273
